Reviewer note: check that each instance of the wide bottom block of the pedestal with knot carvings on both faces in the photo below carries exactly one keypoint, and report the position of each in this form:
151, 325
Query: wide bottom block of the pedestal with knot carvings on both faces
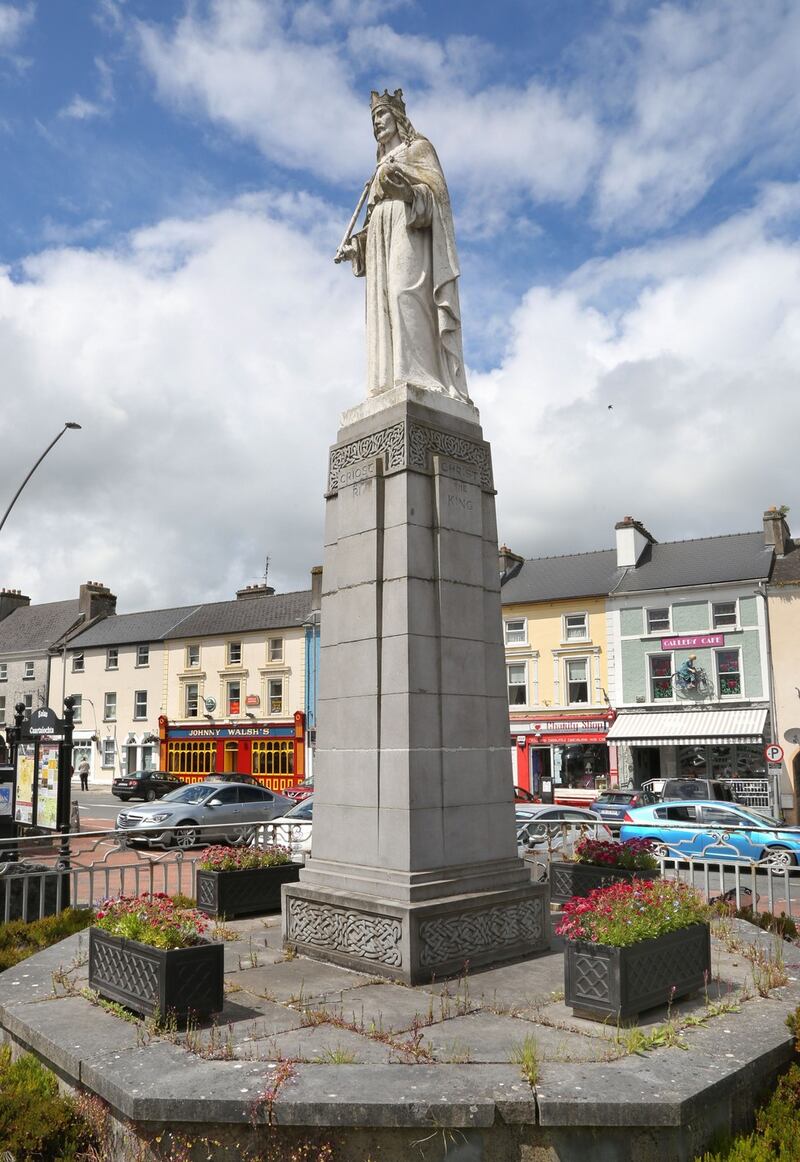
417, 943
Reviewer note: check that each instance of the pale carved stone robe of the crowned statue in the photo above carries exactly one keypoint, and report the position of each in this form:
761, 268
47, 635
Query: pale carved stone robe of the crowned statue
408, 253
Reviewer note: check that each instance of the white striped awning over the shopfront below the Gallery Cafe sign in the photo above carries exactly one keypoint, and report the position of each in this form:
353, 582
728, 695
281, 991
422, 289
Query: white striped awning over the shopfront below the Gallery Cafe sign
689, 727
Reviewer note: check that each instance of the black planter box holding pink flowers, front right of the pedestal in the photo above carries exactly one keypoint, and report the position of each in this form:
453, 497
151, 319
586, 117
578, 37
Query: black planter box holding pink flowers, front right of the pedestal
602, 982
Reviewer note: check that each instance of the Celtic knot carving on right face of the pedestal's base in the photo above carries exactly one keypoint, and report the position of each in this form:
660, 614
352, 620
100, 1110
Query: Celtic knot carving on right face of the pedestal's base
462, 936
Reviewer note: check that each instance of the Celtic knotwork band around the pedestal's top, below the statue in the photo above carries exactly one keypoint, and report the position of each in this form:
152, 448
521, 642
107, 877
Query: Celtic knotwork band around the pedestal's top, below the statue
409, 446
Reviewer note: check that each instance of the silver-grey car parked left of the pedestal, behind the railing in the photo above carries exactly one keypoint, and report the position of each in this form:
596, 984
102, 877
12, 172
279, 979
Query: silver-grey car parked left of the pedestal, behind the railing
227, 812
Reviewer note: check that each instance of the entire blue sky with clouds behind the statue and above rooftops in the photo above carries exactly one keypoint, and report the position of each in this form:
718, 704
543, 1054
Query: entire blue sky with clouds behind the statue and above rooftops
177, 176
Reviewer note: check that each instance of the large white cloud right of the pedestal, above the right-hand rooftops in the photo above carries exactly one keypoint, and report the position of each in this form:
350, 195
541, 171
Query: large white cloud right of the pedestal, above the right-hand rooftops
696, 346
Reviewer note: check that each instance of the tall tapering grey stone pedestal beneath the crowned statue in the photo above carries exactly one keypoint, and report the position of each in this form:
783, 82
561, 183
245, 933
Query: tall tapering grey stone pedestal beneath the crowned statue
415, 869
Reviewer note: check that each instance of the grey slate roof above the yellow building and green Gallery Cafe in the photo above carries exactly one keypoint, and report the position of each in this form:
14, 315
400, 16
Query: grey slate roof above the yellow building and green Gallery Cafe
675, 564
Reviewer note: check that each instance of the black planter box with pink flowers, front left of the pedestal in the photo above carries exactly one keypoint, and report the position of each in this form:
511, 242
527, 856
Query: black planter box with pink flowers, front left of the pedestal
181, 981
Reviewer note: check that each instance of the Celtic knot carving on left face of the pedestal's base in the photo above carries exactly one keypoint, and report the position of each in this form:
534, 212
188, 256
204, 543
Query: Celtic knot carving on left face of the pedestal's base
374, 938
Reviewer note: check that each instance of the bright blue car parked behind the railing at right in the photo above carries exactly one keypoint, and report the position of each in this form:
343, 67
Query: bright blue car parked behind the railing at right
706, 829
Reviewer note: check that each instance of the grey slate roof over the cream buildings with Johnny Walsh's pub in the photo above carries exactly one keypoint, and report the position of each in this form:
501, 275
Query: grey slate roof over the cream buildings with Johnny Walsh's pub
241, 616
